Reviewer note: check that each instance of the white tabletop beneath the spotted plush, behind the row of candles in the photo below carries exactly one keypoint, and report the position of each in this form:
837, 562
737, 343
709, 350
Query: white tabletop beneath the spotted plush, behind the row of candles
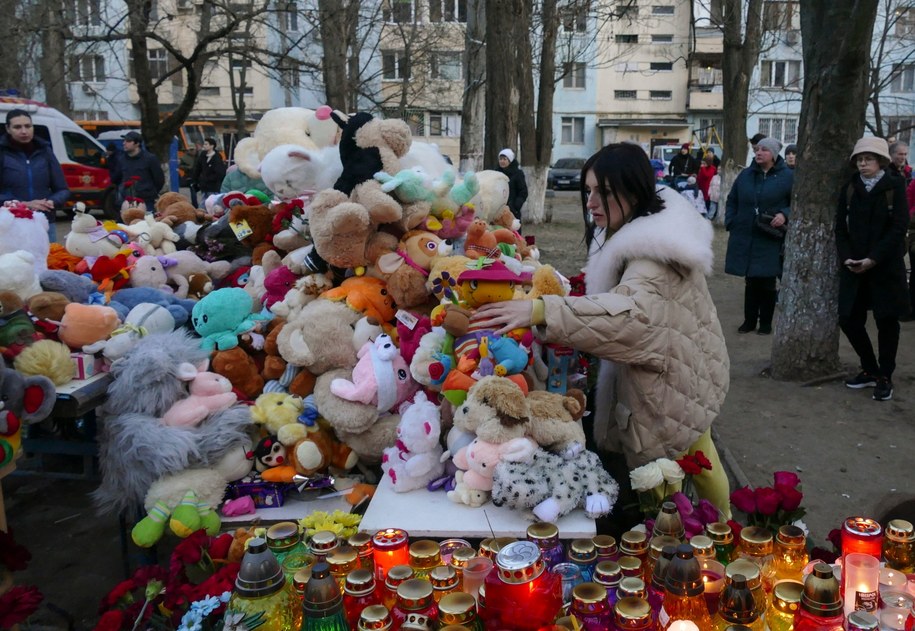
431, 514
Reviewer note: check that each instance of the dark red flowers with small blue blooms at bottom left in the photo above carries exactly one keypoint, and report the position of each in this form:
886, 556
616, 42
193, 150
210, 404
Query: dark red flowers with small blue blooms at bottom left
199, 569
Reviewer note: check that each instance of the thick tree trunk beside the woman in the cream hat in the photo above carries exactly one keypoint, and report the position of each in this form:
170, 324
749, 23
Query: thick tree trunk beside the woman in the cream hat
832, 118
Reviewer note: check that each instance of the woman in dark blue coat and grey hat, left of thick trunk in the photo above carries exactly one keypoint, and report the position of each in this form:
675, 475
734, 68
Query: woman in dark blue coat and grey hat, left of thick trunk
762, 187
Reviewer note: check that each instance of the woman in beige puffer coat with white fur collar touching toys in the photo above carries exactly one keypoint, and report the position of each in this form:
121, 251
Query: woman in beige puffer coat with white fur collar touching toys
648, 316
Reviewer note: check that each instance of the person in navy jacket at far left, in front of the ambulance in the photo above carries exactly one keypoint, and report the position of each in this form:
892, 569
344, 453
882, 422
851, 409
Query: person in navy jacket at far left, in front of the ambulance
29, 170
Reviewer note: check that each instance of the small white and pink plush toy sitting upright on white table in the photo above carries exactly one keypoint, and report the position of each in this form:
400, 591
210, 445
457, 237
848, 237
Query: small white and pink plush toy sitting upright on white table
415, 460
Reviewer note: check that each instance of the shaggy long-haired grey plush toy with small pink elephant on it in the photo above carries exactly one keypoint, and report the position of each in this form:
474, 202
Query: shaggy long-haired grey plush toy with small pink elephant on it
136, 448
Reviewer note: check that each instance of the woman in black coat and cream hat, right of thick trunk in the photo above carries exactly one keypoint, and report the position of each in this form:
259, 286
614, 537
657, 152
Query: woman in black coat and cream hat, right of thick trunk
871, 221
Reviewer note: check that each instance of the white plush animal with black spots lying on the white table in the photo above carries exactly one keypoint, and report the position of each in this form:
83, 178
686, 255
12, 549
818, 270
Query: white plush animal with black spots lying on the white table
552, 485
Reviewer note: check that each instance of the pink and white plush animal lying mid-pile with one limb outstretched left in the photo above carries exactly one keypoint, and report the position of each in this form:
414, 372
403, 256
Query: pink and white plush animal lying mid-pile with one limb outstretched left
381, 377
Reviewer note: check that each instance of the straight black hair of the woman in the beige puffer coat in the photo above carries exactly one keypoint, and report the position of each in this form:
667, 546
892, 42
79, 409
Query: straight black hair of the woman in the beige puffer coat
623, 170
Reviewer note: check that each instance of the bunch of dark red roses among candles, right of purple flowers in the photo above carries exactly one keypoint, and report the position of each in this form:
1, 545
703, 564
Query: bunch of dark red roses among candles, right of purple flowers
772, 506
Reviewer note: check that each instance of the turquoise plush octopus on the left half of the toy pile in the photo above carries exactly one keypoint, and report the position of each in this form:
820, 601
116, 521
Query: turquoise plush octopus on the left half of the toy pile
220, 317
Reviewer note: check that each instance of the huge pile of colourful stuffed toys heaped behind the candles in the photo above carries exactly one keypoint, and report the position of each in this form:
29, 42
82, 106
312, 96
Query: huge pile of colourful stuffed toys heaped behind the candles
316, 323
